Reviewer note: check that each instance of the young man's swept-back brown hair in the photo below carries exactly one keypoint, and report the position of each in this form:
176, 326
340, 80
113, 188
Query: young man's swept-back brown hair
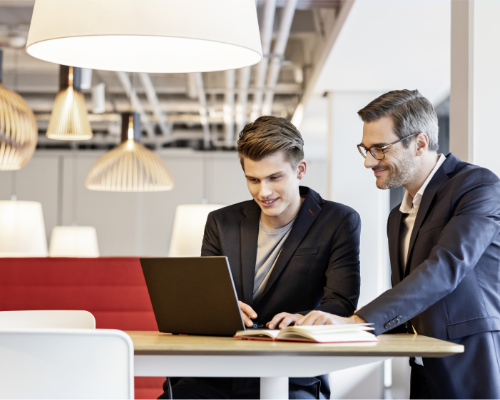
269, 135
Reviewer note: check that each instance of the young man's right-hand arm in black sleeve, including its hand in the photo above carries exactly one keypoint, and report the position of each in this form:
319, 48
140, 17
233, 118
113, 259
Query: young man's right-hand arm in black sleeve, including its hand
342, 276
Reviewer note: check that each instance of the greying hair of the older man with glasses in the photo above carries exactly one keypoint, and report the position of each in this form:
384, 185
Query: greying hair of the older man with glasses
410, 111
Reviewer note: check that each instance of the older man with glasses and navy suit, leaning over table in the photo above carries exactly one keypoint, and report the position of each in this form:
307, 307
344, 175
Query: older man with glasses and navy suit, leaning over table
444, 247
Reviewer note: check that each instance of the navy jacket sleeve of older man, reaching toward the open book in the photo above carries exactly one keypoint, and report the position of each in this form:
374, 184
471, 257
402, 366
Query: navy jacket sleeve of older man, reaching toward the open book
475, 224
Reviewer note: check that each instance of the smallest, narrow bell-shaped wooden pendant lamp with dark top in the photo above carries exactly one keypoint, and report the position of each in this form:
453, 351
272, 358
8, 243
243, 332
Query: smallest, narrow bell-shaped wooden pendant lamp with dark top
69, 119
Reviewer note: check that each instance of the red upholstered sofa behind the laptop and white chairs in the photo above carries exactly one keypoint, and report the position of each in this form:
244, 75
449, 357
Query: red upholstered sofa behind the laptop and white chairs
111, 288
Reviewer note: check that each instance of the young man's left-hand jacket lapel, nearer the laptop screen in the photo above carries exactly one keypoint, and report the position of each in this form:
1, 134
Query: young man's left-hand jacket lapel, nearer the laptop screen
249, 238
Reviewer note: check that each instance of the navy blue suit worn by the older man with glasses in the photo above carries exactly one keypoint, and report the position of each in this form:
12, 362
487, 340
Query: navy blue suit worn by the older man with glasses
451, 286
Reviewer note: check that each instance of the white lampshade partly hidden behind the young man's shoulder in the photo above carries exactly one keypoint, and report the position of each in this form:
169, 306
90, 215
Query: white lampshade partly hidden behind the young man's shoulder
189, 226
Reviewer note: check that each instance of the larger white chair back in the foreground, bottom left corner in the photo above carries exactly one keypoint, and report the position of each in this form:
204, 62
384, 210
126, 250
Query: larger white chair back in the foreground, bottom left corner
63, 364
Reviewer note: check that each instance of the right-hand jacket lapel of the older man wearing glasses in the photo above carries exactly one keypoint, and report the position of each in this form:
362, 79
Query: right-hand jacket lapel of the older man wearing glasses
436, 182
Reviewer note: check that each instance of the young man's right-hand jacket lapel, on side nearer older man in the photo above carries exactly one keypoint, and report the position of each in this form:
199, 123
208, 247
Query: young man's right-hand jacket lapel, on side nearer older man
305, 219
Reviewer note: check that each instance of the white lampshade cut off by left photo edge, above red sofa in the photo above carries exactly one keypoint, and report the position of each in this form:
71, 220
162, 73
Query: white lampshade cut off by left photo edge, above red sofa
22, 230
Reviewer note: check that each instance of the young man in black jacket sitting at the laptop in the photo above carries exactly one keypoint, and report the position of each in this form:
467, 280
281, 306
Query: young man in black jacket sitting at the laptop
289, 250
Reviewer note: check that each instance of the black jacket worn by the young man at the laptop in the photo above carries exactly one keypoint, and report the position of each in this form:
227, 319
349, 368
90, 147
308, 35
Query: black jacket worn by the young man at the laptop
318, 267
